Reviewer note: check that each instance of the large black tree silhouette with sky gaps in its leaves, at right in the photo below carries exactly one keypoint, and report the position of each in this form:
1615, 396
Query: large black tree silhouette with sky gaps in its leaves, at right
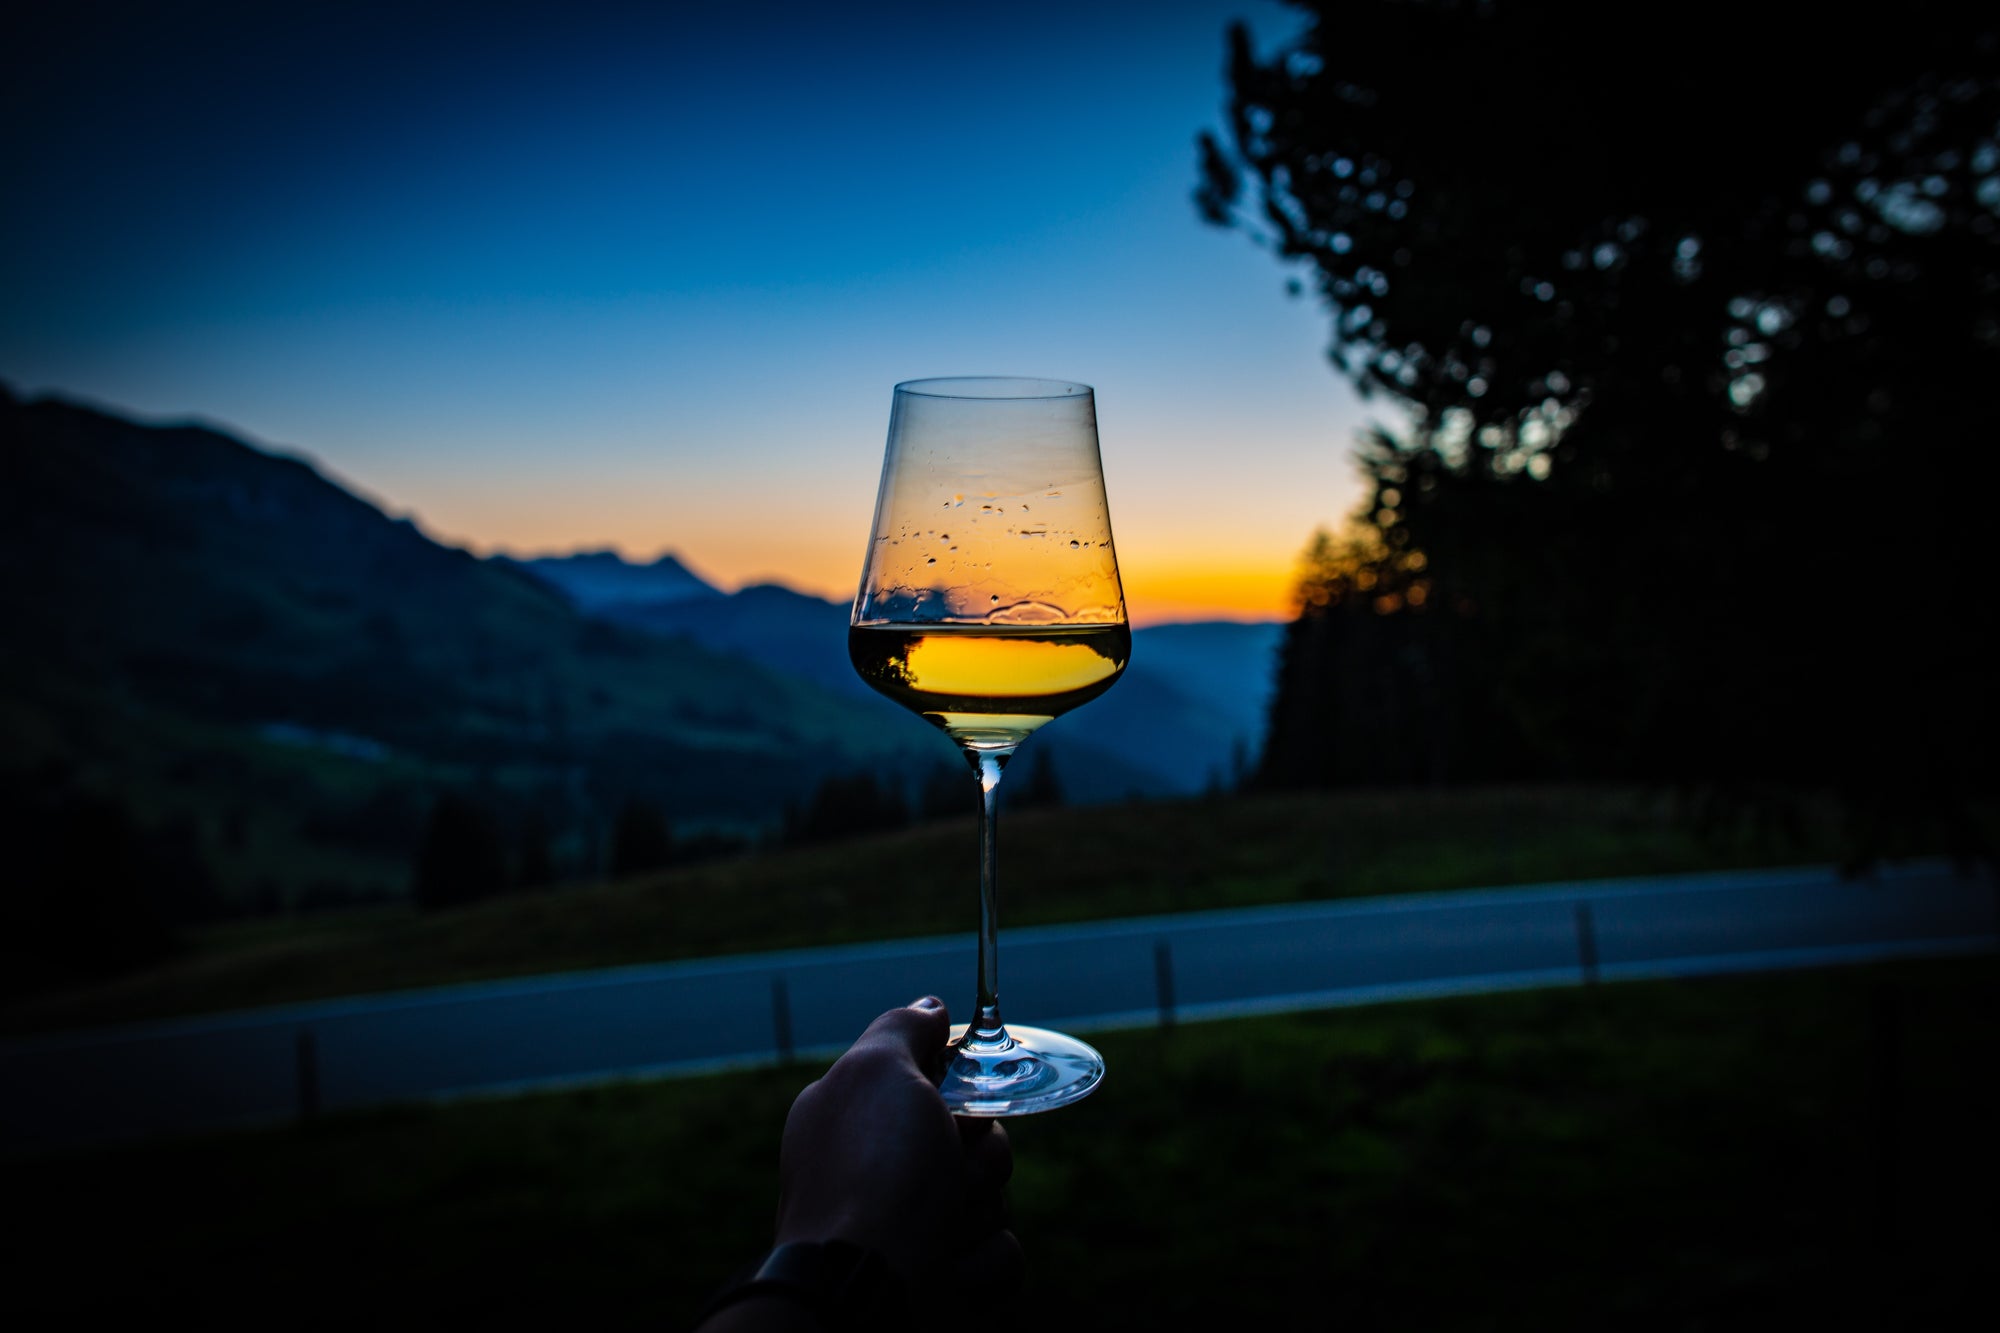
1695, 349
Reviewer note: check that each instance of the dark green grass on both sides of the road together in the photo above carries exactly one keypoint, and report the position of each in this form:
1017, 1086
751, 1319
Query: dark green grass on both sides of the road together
1689, 1154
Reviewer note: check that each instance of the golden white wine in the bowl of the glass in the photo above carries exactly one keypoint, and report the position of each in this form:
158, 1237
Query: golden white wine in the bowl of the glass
991, 686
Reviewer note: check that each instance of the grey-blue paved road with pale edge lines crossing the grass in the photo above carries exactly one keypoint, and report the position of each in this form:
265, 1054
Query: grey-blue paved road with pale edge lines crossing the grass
685, 1018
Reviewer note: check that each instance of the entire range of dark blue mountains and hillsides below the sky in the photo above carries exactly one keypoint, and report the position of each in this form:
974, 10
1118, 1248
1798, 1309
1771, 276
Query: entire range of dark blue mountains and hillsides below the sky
275, 684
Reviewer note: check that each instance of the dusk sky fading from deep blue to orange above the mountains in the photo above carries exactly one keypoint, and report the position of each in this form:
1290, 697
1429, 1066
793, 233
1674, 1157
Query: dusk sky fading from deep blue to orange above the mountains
645, 277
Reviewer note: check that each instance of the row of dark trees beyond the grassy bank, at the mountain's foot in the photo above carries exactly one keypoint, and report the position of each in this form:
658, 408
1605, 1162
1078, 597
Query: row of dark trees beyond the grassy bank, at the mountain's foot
99, 890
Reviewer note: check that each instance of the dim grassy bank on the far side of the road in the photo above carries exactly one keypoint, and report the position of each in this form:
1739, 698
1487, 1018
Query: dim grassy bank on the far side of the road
1057, 866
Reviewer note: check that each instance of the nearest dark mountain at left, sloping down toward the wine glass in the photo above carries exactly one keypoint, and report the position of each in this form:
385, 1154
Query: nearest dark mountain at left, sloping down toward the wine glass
239, 647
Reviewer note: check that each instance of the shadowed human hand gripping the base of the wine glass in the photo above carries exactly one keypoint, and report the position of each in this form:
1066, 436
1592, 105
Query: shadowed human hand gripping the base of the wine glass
873, 1156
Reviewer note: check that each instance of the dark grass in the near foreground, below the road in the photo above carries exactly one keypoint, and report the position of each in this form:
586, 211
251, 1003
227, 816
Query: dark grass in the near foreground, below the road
1761, 1154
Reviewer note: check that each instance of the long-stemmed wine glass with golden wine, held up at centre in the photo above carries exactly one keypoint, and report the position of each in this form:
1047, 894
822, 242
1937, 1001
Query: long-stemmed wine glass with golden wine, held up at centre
989, 607
